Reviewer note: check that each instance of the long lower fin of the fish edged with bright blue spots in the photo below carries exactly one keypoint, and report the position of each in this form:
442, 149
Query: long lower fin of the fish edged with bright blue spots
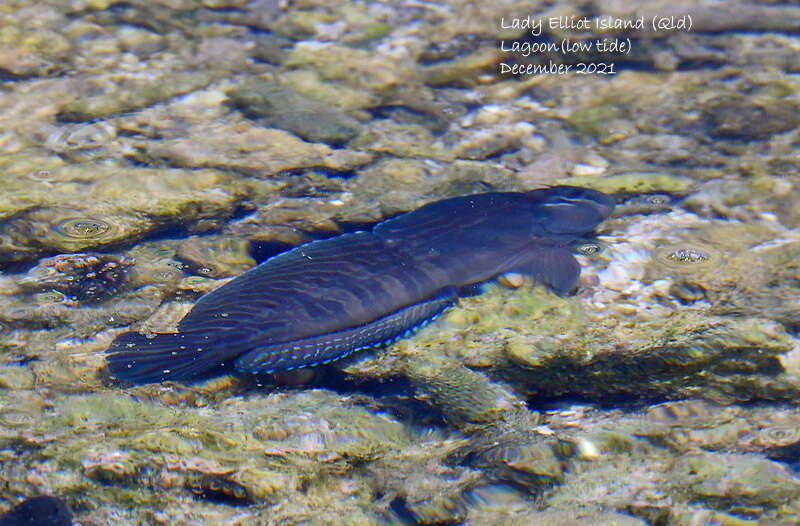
326, 348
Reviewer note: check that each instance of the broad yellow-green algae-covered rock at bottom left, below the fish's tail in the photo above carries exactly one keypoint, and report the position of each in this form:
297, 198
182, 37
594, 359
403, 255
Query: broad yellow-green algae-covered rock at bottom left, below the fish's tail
295, 449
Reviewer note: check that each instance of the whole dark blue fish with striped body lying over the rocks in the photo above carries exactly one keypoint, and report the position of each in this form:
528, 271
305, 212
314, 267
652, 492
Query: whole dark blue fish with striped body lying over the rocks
323, 300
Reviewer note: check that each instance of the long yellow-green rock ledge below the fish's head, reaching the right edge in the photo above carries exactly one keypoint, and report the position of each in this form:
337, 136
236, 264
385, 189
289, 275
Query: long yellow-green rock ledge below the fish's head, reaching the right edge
542, 345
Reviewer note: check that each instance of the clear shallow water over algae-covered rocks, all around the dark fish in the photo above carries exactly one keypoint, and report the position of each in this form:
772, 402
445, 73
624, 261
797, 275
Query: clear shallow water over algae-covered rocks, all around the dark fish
150, 151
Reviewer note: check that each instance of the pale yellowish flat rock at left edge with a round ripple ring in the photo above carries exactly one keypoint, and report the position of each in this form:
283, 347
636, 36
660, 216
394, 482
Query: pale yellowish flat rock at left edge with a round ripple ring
122, 205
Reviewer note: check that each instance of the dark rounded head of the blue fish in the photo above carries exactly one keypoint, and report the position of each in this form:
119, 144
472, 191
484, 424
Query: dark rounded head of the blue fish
568, 210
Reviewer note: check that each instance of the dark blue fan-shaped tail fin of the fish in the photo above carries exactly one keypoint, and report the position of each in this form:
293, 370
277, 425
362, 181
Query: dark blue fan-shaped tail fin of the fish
138, 358
